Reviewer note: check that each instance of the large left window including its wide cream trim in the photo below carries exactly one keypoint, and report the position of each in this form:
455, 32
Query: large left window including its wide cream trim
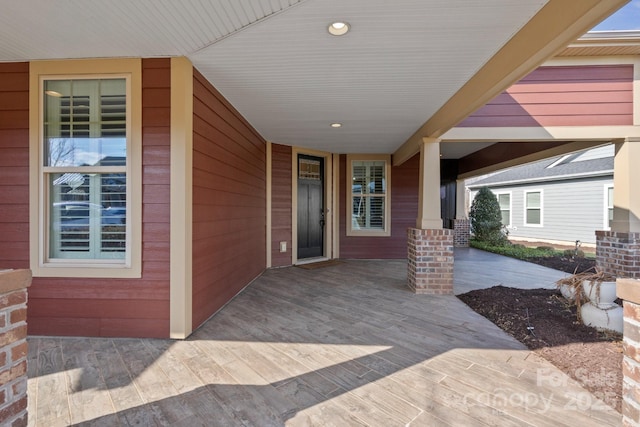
86, 161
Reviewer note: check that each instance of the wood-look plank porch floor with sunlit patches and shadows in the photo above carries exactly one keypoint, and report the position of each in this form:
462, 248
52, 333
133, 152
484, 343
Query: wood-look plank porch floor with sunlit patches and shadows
338, 346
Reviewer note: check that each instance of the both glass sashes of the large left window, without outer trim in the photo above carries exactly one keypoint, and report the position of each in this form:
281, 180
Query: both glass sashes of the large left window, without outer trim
84, 170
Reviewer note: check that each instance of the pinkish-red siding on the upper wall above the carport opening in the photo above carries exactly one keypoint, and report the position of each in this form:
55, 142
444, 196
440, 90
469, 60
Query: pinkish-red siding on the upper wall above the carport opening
563, 96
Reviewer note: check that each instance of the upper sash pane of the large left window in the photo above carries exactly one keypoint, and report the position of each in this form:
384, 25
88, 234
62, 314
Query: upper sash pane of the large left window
85, 122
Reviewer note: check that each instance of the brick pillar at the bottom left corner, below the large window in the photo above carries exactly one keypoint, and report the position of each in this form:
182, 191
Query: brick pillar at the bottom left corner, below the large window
13, 350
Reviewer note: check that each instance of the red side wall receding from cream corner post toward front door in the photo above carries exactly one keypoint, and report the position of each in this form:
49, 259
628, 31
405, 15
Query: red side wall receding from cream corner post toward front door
229, 201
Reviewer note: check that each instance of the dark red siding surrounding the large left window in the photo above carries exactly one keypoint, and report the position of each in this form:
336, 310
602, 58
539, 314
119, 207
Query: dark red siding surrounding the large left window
95, 307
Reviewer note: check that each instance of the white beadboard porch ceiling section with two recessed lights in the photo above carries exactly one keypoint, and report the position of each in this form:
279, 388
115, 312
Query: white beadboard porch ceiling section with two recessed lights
398, 65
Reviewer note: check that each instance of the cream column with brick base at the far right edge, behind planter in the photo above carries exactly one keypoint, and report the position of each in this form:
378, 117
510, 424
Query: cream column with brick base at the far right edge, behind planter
618, 249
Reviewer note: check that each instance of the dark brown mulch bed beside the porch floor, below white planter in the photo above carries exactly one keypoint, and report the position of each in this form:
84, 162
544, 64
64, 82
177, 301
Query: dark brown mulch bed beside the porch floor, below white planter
546, 323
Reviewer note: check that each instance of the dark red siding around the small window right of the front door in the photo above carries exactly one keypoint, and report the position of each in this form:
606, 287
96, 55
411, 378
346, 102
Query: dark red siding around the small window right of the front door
404, 211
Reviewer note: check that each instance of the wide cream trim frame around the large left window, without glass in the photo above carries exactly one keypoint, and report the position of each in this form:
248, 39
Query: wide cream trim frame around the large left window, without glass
40, 266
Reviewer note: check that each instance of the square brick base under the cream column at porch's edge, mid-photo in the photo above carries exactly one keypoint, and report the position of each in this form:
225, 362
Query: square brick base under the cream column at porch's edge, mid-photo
430, 268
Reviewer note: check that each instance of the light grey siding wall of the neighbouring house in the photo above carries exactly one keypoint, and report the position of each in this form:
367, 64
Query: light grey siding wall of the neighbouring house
571, 210
